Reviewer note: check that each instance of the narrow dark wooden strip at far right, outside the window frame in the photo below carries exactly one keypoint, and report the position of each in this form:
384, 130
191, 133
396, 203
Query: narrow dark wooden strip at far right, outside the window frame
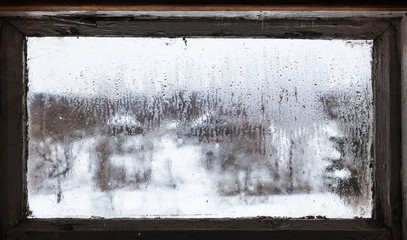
403, 61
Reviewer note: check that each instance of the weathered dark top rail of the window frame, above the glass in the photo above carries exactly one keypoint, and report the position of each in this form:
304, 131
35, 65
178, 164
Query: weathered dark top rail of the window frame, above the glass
359, 28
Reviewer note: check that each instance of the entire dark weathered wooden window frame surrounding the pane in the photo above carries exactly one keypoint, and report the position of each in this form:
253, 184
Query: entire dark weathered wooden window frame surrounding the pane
386, 80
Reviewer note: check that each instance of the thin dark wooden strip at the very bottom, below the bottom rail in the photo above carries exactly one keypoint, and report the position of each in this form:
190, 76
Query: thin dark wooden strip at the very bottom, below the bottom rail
221, 235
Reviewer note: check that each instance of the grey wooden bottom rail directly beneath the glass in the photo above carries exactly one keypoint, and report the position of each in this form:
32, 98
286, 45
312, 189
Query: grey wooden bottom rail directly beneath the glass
249, 224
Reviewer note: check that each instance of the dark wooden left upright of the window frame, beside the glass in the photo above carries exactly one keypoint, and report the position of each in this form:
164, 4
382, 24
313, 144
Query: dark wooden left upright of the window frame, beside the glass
11, 127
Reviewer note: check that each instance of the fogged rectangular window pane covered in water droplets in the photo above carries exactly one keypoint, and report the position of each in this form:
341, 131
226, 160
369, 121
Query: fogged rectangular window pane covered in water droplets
199, 127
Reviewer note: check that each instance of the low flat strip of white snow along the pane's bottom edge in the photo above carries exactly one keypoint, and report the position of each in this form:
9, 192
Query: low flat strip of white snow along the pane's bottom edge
86, 202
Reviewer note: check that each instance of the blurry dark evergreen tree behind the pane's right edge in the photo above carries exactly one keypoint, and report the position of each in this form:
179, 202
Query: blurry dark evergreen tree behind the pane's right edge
349, 175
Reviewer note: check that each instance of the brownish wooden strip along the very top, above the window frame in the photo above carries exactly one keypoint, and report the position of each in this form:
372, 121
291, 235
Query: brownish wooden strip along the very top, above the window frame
194, 5
